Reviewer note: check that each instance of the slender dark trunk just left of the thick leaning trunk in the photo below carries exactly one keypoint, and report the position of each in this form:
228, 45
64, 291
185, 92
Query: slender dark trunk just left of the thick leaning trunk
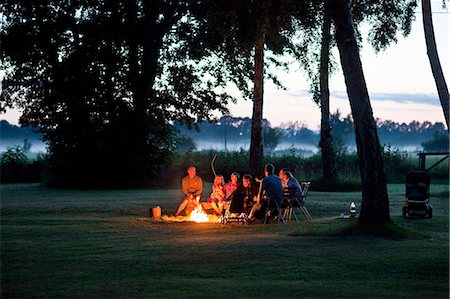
326, 137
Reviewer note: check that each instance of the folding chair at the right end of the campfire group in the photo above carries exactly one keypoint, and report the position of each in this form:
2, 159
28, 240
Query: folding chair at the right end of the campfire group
292, 203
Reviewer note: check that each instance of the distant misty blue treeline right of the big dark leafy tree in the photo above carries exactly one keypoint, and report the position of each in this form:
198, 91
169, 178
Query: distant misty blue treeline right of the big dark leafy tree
238, 129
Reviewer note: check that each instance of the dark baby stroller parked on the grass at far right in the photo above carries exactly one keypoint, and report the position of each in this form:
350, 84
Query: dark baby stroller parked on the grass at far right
417, 195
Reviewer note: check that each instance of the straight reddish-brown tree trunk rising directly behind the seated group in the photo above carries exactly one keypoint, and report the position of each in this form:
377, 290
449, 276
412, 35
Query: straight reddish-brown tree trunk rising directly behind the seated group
256, 142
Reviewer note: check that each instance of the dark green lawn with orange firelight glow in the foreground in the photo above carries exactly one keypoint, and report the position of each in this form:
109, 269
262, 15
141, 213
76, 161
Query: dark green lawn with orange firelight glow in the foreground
97, 244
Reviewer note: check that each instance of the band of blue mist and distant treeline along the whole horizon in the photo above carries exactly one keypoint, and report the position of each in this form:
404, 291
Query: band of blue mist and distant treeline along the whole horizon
233, 134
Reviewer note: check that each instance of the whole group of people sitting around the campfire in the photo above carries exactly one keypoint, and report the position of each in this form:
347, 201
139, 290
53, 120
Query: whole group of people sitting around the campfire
258, 194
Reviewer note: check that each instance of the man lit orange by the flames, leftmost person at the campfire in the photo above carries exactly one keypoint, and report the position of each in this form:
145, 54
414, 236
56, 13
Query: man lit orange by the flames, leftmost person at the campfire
192, 186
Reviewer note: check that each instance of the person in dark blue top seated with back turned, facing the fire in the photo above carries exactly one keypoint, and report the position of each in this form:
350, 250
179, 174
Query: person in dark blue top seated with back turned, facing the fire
271, 188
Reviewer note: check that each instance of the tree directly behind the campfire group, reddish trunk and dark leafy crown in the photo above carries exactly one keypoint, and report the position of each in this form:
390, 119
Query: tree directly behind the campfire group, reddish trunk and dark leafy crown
246, 37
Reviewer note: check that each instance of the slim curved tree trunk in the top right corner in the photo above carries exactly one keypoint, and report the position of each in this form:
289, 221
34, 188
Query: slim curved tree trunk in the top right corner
434, 58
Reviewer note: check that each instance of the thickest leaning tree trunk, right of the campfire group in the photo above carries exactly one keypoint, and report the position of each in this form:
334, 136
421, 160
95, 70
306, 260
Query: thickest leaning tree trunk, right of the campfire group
375, 201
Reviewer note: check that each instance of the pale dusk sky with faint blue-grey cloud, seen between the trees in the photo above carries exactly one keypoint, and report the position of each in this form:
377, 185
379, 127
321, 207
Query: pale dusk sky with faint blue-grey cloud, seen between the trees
399, 80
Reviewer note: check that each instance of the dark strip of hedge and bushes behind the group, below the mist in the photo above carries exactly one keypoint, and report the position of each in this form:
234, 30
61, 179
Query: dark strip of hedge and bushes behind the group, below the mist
397, 165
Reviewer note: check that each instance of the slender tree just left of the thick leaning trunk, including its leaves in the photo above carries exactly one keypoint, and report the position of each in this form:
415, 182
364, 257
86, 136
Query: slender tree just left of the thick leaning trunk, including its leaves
385, 18
